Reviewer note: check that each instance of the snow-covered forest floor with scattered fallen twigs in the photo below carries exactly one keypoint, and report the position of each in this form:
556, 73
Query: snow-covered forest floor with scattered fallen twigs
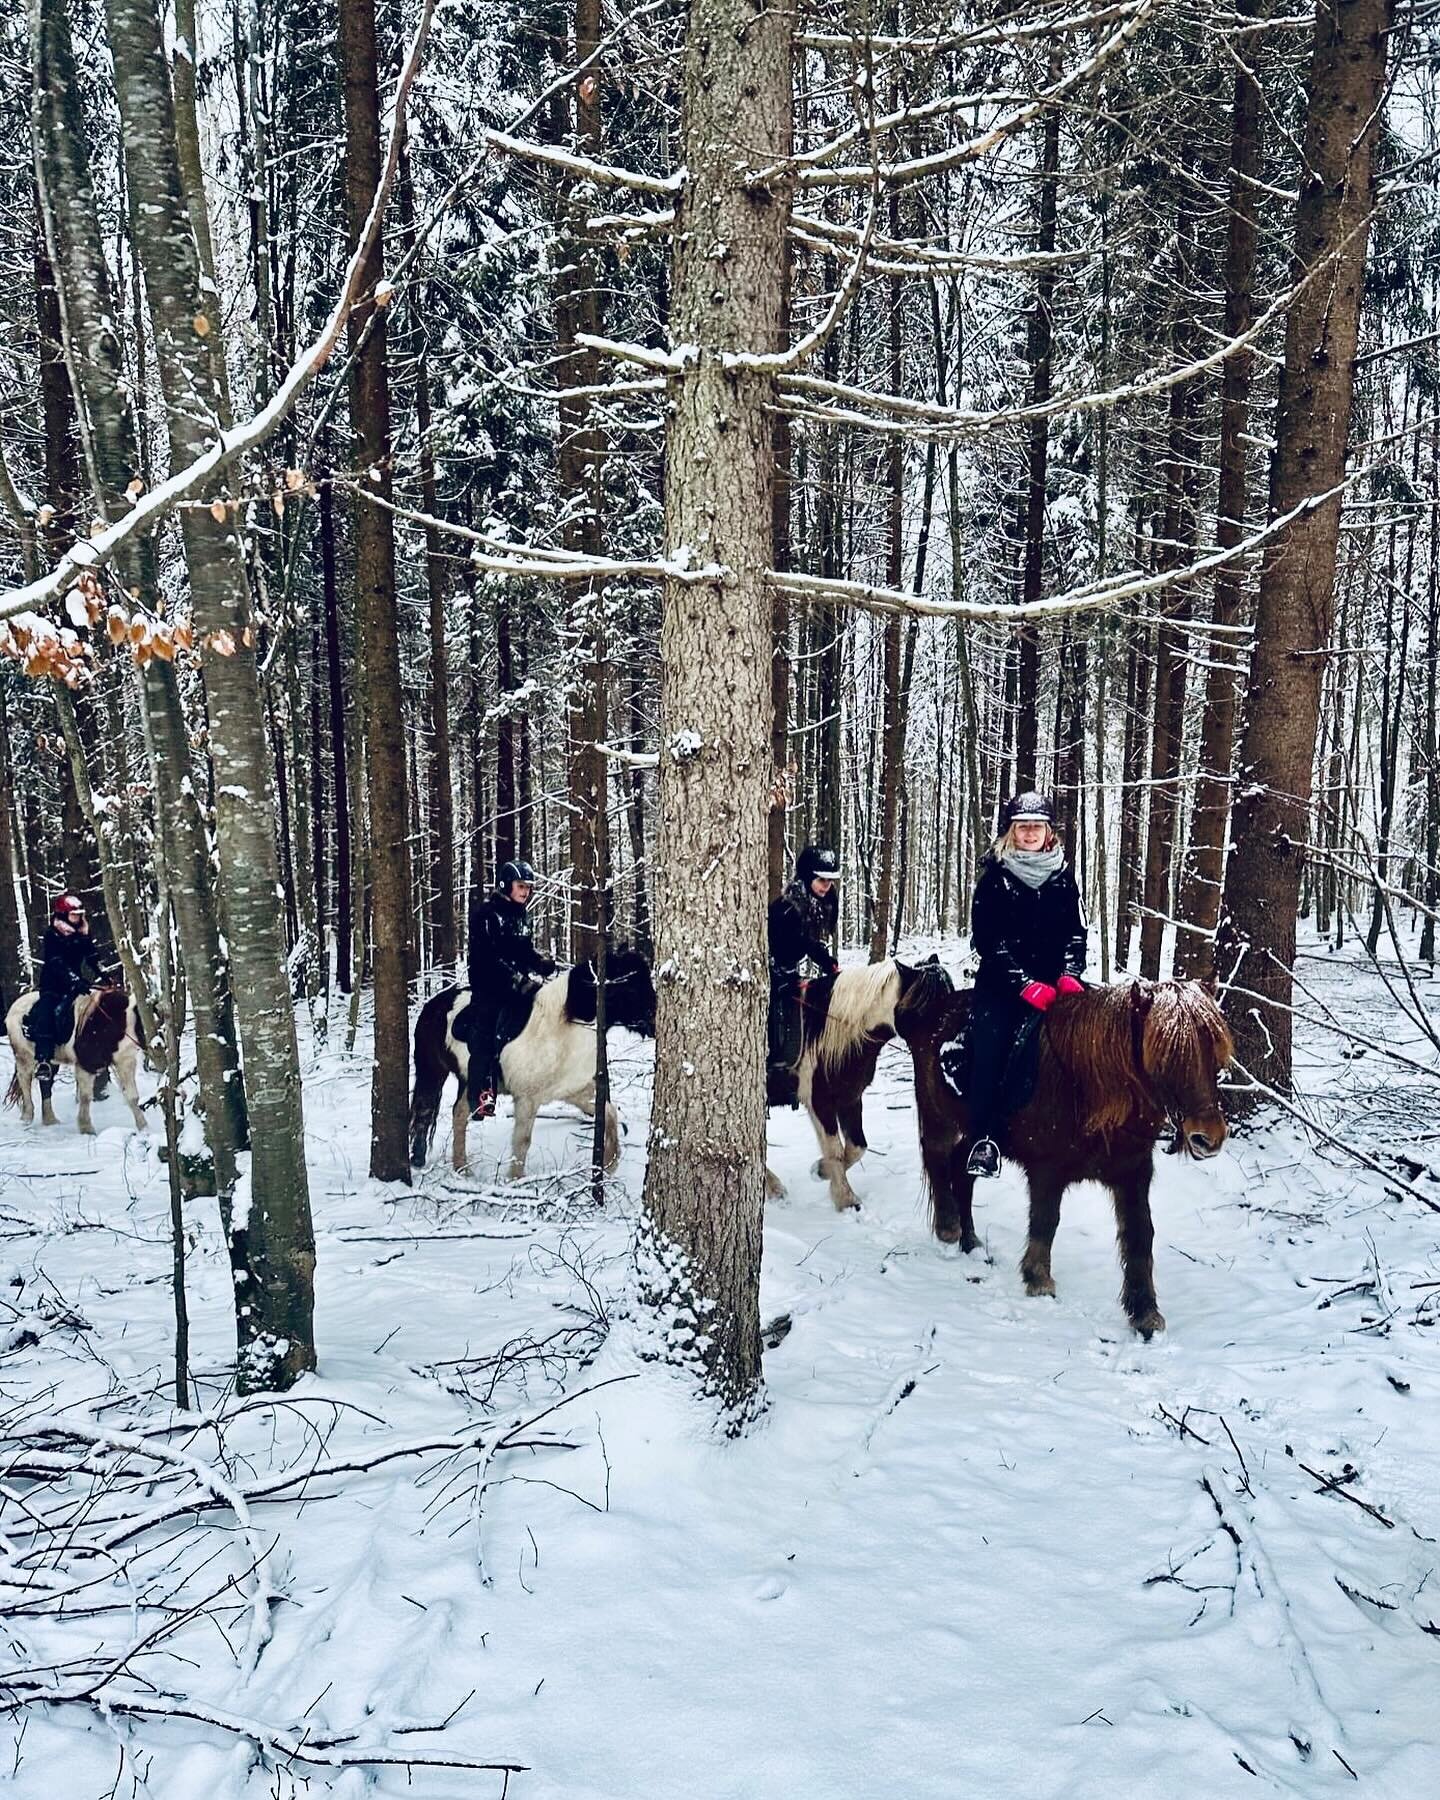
980, 1545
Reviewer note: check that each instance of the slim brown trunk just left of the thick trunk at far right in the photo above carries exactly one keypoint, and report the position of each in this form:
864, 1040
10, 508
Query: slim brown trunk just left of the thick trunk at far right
1200, 901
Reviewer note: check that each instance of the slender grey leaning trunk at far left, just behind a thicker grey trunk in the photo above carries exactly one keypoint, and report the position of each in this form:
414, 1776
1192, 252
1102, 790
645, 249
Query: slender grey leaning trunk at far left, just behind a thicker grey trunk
112, 456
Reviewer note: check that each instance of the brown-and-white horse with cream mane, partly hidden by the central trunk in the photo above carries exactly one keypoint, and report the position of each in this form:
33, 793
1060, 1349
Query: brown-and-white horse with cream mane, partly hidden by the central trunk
849, 1020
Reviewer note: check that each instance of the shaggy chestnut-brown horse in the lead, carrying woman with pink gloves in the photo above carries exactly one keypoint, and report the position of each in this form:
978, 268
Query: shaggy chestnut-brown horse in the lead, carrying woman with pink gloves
1113, 1066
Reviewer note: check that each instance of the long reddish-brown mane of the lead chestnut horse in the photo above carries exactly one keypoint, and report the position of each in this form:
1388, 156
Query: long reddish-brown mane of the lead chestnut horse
1095, 1039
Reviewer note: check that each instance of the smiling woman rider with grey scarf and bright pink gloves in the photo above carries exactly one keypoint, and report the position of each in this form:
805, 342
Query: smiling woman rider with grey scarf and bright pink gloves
1029, 928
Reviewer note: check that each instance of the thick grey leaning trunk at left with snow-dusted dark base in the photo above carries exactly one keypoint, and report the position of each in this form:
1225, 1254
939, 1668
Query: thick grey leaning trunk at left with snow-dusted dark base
276, 1302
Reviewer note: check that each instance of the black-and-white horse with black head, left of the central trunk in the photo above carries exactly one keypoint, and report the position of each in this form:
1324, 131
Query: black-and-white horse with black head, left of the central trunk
552, 1059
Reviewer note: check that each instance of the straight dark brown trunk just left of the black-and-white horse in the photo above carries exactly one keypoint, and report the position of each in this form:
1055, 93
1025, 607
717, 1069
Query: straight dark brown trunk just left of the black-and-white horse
370, 413
